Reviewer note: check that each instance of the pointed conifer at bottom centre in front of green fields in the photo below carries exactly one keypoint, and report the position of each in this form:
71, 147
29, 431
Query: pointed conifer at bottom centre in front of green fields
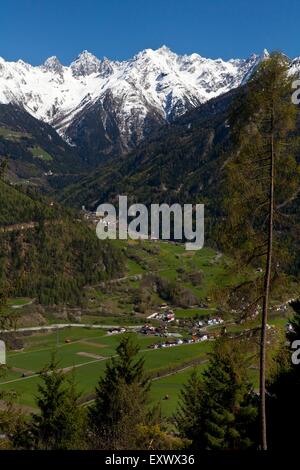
121, 398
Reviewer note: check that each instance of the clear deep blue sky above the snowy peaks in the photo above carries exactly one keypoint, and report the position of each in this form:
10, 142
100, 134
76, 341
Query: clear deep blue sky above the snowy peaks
36, 29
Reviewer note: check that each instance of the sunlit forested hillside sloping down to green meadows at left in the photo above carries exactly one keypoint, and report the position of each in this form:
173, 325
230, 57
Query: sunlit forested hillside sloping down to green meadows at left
49, 253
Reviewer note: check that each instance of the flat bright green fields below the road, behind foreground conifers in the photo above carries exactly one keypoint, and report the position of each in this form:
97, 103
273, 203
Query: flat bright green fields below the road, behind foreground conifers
85, 355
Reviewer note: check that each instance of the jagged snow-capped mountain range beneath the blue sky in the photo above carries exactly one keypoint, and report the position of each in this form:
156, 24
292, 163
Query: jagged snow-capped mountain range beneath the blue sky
121, 101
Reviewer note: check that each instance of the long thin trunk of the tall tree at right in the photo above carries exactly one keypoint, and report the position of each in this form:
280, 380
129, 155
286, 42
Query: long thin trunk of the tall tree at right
262, 378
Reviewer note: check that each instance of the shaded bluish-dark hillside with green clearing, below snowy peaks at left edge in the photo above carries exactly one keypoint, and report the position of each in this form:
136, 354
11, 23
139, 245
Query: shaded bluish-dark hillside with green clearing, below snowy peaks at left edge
34, 148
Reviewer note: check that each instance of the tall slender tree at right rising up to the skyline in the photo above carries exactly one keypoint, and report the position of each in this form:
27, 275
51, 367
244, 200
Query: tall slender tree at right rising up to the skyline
261, 184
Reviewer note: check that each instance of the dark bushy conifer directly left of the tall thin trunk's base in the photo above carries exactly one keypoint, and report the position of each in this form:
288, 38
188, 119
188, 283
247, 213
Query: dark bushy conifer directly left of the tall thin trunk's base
224, 412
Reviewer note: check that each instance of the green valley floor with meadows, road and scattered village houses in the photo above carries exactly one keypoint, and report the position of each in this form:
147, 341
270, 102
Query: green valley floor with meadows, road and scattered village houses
165, 300
